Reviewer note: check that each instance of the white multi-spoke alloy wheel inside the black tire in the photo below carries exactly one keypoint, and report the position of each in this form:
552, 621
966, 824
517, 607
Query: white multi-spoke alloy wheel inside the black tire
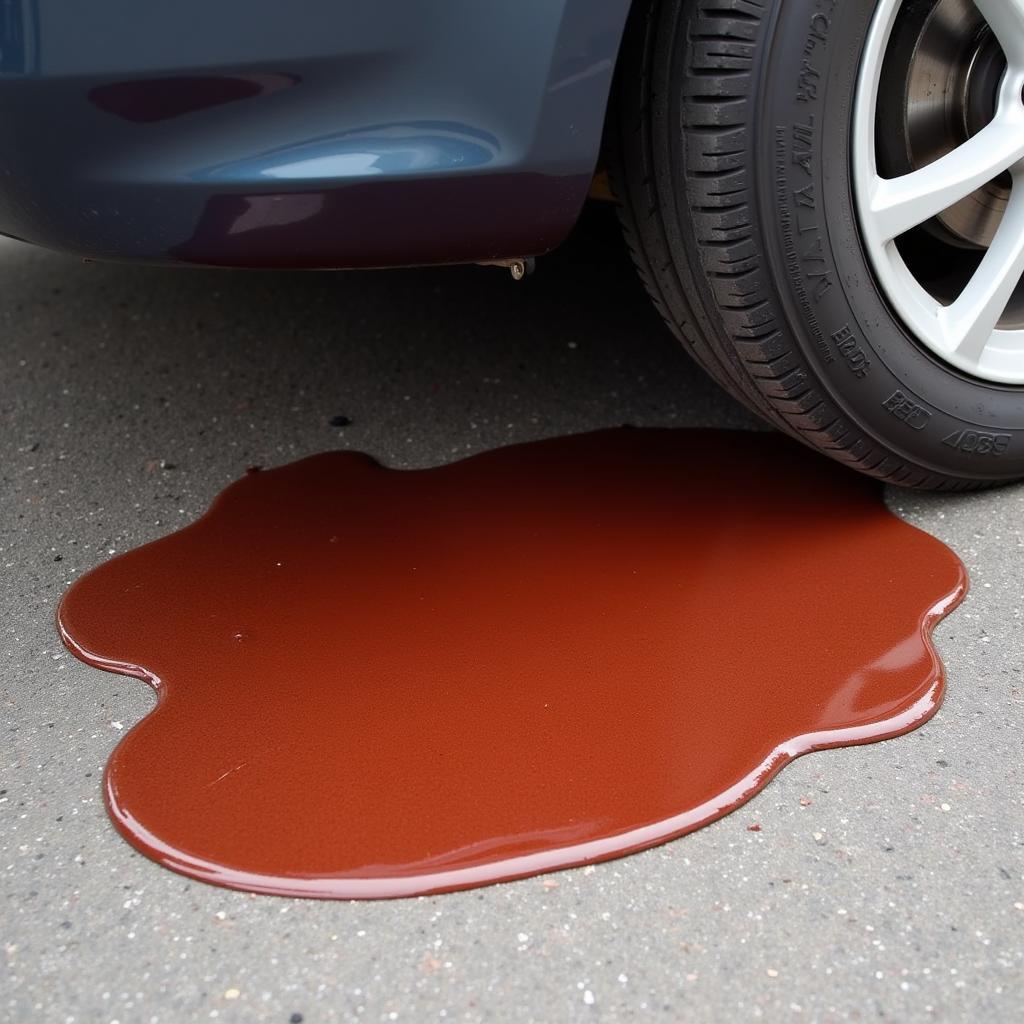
938, 177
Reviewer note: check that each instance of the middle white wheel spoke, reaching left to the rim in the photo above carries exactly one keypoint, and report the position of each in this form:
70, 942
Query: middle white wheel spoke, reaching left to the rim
900, 204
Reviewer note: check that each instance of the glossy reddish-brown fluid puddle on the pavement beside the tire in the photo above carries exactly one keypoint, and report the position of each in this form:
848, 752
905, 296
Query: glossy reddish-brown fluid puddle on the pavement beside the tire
380, 684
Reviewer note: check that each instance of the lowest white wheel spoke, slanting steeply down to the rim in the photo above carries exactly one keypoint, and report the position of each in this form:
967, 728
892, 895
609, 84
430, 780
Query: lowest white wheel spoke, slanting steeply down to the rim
969, 323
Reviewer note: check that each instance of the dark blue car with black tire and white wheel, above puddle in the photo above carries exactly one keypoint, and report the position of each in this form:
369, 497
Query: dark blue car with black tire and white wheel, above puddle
824, 198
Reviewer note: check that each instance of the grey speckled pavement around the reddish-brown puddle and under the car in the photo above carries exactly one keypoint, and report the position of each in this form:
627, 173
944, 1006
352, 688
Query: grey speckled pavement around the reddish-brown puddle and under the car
885, 883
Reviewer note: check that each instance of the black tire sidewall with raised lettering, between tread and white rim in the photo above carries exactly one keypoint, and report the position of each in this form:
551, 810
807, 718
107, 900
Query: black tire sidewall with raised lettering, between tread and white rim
871, 368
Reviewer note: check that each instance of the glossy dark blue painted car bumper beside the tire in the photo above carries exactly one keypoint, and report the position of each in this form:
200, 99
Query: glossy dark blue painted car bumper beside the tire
320, 134
